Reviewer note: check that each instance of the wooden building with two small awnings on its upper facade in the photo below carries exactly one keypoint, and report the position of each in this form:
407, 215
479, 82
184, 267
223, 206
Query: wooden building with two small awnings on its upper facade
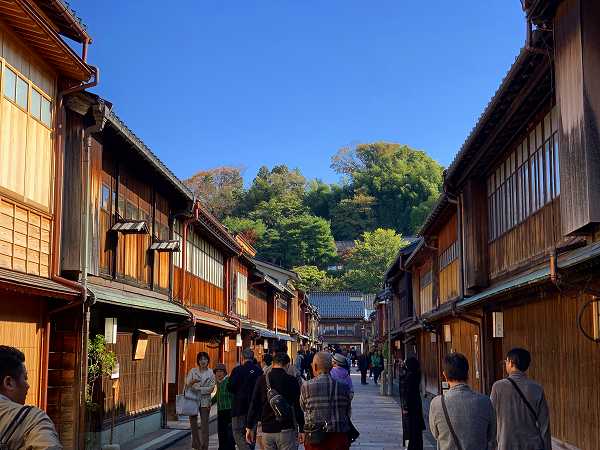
118, 241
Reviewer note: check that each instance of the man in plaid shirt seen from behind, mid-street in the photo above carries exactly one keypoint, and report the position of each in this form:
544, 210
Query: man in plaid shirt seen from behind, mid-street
326, 406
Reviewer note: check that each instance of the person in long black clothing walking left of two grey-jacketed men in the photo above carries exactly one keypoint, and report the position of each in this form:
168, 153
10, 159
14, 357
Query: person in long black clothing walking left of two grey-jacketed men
413, 423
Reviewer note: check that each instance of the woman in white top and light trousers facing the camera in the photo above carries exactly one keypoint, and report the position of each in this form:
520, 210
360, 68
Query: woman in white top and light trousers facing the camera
200, 383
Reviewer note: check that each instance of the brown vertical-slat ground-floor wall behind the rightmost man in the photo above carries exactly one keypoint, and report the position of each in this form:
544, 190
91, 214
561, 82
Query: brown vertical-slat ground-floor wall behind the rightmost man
563, 361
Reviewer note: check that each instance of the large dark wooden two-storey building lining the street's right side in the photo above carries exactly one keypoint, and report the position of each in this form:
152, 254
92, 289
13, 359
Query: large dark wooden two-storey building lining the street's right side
520, 209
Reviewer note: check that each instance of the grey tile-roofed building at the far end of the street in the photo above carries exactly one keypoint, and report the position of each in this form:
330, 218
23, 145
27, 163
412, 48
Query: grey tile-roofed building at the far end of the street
343, 318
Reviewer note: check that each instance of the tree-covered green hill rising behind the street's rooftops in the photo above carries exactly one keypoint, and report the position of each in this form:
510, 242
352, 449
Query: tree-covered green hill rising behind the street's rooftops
386, 192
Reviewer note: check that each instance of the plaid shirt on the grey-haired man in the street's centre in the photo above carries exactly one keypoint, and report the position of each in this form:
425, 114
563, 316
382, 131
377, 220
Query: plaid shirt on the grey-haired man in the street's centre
325, 401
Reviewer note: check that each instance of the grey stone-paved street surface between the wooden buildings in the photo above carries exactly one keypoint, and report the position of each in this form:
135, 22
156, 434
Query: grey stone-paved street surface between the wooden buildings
378, 418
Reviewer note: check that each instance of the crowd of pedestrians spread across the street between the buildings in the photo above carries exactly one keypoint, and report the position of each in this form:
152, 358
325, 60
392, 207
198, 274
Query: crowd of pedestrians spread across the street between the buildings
283, 404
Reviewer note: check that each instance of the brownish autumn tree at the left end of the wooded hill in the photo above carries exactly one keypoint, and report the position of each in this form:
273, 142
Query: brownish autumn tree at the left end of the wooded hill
219, 189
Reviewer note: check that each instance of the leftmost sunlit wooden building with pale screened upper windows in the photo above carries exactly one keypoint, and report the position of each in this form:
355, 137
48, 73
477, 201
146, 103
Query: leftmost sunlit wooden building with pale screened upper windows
38, 68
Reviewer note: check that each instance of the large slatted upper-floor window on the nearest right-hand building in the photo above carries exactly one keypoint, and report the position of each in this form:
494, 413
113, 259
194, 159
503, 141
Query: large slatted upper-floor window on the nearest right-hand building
526, 180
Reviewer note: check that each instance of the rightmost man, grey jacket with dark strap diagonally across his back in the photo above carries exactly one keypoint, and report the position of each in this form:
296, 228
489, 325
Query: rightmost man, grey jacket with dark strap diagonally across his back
521, 408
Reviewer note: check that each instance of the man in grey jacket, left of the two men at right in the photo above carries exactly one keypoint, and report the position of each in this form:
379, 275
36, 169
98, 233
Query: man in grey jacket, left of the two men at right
468, 417
